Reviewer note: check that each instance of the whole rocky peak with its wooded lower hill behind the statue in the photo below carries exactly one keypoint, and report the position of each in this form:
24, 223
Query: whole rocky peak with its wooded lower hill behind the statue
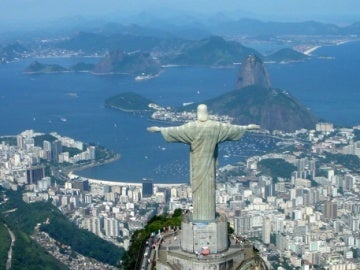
257, 102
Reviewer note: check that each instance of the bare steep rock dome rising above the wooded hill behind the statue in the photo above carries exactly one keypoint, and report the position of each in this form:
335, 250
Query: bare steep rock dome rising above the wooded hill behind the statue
252, 72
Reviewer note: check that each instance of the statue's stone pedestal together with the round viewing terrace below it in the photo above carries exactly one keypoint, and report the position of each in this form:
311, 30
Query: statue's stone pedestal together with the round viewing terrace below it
185, 250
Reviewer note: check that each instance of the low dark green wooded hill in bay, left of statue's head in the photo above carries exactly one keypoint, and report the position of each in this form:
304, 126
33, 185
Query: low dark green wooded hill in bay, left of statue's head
129, 102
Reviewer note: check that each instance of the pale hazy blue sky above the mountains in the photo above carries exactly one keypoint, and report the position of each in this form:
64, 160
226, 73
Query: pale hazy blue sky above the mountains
296, 10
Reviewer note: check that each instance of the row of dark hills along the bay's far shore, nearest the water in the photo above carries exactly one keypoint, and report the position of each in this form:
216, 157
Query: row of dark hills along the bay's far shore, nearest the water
213, 51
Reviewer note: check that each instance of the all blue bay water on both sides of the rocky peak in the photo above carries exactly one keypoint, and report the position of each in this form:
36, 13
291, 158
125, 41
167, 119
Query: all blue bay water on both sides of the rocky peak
328, 86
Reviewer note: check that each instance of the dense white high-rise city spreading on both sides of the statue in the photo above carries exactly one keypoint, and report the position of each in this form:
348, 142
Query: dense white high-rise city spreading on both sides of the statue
299, 205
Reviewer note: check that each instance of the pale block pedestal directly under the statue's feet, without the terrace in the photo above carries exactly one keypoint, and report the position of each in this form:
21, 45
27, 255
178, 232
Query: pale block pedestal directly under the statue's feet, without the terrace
197, 236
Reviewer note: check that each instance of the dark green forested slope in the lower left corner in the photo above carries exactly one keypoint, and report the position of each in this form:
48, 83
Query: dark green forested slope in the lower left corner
26, 216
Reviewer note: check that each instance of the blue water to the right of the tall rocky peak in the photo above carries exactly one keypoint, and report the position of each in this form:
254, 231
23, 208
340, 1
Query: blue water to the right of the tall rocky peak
328, 85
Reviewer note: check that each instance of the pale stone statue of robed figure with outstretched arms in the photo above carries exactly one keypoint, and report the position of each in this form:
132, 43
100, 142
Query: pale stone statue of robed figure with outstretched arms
203, 136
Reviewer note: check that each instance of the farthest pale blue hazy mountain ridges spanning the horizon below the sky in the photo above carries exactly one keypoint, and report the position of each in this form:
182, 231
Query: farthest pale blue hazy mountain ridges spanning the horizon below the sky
188, 26
